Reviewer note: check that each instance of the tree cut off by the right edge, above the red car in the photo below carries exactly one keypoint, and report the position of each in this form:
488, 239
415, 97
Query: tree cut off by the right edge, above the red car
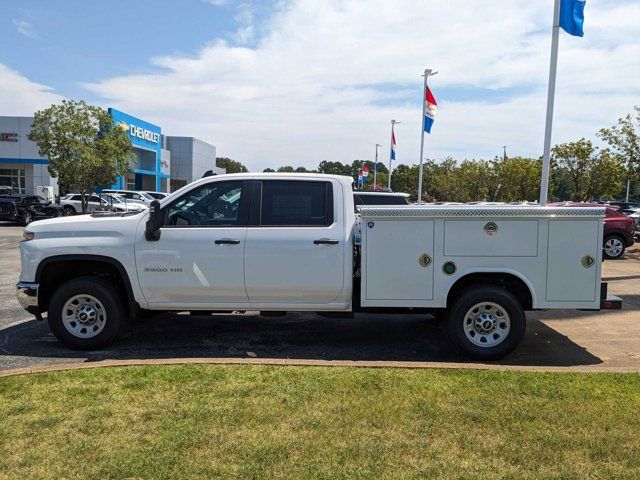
624, 138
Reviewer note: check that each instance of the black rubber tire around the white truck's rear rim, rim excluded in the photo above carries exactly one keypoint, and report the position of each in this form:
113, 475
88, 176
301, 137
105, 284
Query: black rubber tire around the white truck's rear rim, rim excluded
473, 296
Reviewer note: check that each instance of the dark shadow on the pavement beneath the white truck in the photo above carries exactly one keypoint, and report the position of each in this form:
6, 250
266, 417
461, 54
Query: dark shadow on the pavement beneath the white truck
395, 338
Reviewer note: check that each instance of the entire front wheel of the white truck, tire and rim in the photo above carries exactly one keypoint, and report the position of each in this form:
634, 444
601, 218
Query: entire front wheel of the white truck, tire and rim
85, 313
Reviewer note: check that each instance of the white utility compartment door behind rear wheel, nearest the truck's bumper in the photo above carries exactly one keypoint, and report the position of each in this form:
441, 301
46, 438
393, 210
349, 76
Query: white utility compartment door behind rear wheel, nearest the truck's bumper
574, 253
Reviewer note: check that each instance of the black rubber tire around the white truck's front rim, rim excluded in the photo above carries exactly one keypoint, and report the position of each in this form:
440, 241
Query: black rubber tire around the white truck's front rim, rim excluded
102, 290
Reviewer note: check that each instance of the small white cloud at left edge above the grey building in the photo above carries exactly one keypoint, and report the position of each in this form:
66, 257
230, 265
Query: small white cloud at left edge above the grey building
20, 96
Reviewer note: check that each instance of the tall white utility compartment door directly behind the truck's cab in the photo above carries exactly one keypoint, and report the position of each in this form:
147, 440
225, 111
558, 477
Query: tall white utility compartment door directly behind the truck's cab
398, 259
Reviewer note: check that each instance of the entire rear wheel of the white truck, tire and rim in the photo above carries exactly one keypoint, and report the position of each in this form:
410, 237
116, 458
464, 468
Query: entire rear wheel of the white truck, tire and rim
486, 322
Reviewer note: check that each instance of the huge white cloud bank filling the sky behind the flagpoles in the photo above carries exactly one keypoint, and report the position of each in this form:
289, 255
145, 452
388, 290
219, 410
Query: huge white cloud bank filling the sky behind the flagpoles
325, 78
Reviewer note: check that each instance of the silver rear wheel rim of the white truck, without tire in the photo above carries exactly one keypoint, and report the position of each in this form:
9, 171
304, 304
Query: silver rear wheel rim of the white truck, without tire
486, 324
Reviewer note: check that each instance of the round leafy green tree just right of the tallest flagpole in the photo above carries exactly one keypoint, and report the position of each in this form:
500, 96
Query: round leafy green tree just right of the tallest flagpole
589, 173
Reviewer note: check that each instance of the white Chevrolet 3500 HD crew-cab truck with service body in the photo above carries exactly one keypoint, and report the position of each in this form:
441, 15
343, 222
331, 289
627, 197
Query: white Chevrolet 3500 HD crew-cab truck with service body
291, 242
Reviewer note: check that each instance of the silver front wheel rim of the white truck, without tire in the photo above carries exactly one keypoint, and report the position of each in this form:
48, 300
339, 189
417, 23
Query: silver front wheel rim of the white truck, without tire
84, 316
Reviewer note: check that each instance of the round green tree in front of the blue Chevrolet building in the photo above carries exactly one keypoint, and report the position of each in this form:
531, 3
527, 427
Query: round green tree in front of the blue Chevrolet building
85, 148
